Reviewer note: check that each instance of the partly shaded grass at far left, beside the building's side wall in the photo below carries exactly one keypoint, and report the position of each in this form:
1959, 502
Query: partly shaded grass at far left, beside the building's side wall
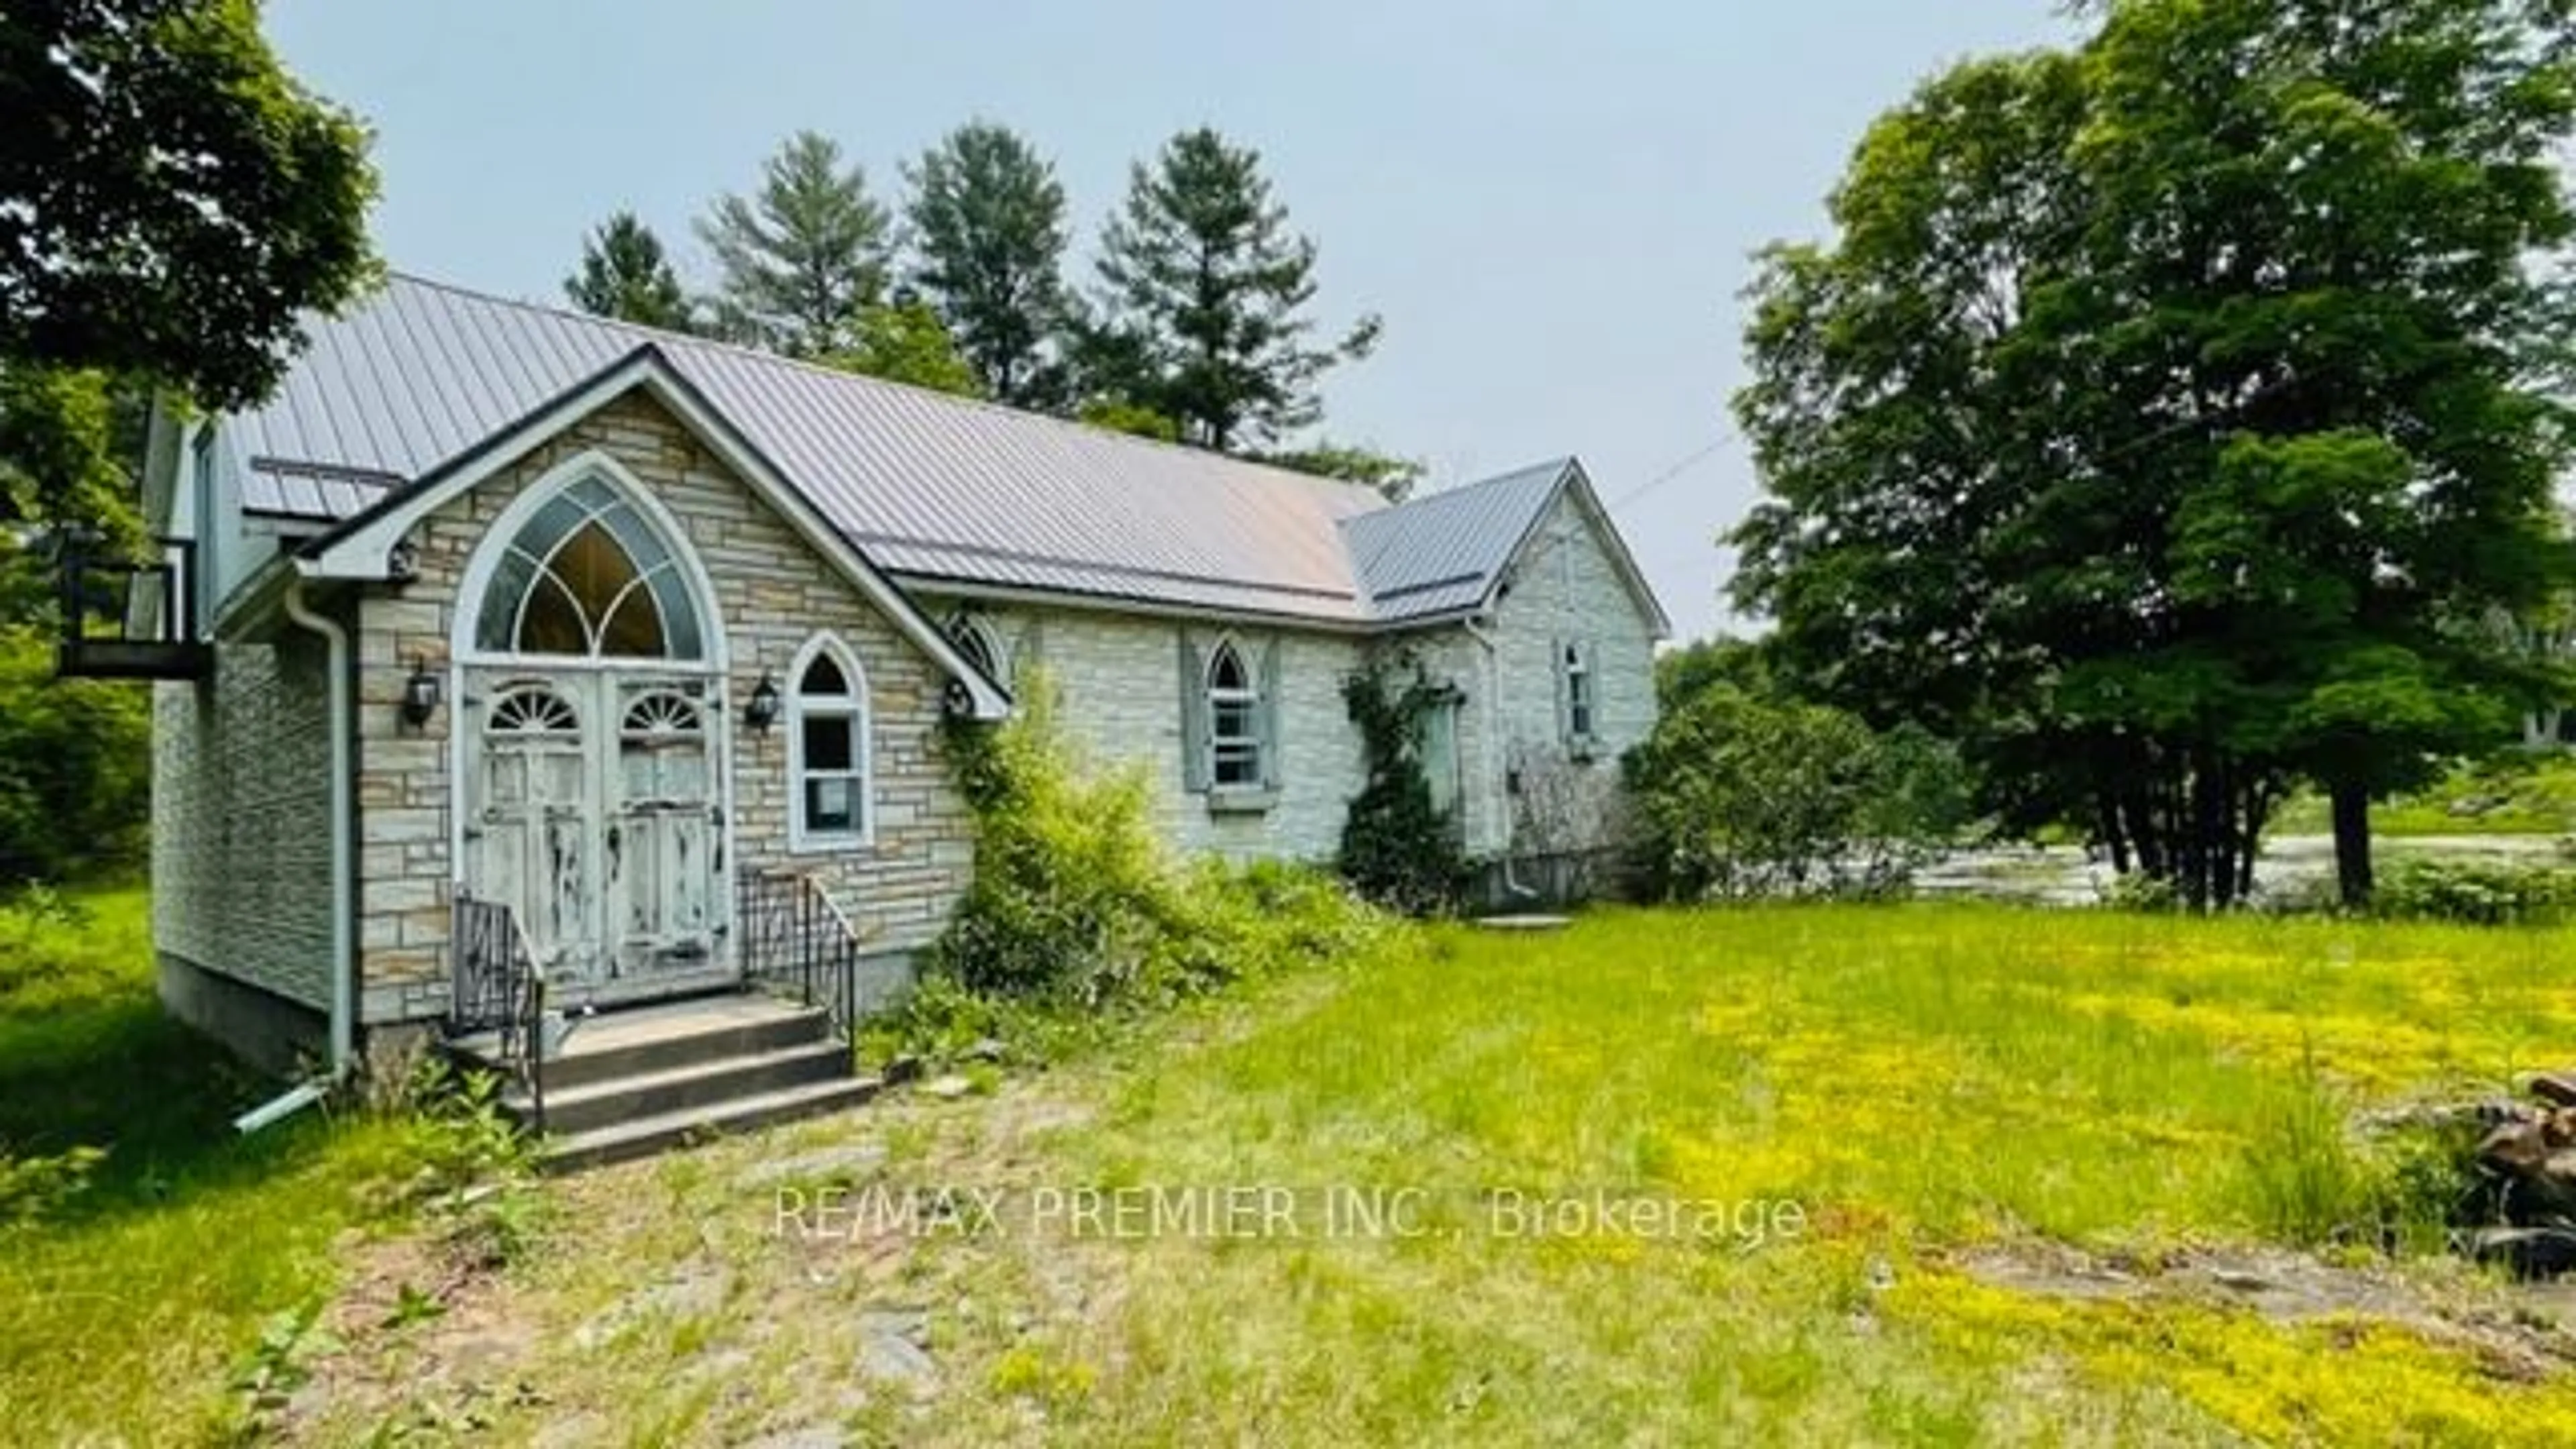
128, 1303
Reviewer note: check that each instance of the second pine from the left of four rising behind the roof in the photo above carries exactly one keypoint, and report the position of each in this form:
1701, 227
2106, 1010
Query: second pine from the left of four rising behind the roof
802, 257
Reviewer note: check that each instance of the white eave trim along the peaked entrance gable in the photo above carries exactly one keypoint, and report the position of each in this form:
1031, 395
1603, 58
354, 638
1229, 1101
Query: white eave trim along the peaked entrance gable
365, 545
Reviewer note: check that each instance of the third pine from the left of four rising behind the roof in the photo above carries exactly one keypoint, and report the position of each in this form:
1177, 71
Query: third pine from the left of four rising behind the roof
988, 233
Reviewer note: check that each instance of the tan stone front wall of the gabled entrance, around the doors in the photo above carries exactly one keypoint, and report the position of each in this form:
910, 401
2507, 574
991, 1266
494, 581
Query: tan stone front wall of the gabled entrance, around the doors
774, 594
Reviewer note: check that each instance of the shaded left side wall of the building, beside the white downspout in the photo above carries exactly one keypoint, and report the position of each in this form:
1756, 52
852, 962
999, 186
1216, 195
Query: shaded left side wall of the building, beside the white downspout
241, 819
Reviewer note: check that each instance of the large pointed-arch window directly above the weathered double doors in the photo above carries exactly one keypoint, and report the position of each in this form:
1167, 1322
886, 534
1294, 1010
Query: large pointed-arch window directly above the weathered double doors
589, 576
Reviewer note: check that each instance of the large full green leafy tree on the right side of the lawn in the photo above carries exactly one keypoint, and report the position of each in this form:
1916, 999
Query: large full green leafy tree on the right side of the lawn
2168, 411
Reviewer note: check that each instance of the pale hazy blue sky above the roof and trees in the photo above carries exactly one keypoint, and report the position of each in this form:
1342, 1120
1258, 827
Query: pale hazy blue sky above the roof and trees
1549, 205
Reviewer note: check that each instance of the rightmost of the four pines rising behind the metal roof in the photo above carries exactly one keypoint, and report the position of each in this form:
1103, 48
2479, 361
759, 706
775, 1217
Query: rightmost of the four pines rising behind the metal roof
1204, 293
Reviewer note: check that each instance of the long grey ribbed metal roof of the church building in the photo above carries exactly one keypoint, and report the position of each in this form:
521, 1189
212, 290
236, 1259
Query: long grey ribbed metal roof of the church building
929, 486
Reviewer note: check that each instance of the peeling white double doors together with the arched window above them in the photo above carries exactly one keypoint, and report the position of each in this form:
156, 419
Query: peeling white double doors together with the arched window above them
591, 746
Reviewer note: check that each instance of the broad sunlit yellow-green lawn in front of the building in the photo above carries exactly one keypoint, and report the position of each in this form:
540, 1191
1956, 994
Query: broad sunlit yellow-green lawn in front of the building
1931, 1087
